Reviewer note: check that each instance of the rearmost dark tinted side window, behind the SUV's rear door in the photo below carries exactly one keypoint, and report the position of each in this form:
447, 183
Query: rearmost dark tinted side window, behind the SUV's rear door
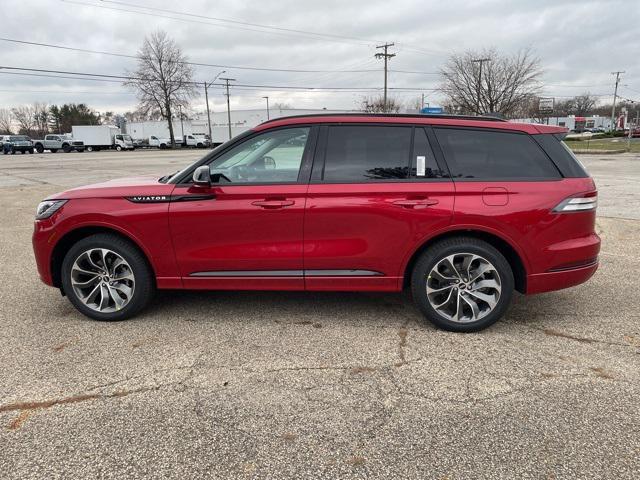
492, 155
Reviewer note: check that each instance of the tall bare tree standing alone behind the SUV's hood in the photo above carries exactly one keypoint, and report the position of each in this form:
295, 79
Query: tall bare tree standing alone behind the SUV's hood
163, 80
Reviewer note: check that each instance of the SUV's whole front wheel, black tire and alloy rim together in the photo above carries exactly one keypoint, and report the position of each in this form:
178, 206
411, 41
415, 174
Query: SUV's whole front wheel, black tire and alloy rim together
140, 286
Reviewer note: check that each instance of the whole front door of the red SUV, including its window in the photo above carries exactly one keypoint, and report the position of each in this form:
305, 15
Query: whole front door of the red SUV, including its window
245, 231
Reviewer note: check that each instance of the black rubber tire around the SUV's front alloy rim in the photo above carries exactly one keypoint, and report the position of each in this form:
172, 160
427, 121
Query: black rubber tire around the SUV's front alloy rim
144, 282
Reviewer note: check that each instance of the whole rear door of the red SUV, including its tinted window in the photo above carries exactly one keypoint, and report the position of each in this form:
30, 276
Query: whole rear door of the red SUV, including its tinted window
376, 193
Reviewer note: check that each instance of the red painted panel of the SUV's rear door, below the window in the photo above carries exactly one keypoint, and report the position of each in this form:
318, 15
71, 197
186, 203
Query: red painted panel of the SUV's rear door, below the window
358, 226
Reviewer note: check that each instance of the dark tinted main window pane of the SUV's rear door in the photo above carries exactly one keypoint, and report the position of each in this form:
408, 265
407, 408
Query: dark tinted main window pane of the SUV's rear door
361, 153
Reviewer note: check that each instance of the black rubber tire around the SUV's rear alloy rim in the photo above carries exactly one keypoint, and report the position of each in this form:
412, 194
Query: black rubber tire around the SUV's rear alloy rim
459, 245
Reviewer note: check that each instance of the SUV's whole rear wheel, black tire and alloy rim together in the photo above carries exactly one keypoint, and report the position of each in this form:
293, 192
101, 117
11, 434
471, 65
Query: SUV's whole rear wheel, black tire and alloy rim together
498, 278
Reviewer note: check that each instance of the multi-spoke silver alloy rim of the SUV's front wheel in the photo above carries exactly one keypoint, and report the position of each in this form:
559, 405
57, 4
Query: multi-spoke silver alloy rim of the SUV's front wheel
102, 280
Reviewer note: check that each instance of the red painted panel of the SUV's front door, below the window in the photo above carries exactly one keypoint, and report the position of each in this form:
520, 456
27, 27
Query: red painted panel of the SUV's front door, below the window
230, 233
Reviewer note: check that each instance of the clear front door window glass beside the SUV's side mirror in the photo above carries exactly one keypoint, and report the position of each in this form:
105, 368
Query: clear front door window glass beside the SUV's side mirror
272, 157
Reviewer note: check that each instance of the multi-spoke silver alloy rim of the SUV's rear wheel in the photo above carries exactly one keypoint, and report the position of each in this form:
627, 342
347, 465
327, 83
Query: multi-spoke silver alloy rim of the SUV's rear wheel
464, 287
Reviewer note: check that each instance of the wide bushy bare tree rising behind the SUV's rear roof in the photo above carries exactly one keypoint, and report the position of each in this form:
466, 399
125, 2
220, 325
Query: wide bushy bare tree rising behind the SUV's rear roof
486, 82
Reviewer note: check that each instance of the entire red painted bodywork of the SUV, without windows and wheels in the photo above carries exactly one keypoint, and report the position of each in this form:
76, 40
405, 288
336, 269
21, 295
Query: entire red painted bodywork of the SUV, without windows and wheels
374, 227
